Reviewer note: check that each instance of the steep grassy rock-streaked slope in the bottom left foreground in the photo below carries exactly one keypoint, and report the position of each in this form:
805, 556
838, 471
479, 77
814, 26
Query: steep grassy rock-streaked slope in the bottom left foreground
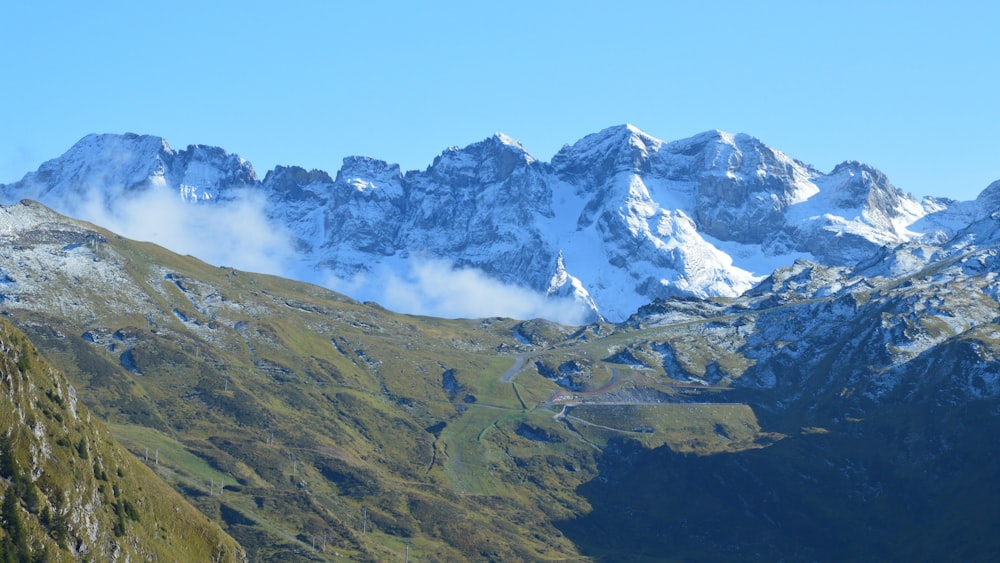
70, 491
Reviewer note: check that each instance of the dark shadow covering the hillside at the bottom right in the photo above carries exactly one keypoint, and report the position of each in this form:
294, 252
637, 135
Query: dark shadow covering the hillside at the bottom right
861, 494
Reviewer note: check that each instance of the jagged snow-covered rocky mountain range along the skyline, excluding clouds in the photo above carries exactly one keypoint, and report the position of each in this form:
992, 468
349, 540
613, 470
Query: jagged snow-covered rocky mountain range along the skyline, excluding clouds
613, 221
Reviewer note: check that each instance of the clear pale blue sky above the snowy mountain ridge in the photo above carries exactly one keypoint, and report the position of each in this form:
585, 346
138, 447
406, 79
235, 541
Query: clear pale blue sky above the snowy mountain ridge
909, 87
